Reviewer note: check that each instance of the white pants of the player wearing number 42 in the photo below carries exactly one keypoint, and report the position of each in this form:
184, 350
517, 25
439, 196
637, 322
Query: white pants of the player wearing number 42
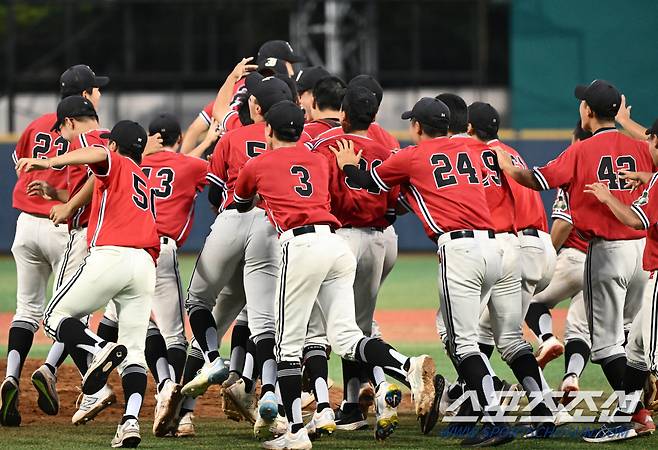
614, 286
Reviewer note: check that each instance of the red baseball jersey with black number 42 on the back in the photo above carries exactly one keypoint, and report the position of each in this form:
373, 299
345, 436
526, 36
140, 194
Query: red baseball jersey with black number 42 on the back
598, 159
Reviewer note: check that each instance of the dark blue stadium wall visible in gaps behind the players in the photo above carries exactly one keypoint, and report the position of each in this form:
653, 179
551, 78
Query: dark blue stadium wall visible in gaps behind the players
409, 229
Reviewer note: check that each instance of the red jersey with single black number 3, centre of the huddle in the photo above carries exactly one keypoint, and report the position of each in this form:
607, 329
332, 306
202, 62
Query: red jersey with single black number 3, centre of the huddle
294, 186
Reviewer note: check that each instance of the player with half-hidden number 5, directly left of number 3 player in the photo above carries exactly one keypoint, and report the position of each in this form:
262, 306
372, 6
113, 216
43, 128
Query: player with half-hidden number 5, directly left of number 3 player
243, 243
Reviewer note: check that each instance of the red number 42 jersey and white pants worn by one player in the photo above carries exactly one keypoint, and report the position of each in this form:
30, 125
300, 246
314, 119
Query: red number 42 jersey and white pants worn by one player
614, 279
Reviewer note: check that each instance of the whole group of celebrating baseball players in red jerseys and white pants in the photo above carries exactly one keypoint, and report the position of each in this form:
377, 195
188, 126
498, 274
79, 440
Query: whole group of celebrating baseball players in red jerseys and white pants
306, 186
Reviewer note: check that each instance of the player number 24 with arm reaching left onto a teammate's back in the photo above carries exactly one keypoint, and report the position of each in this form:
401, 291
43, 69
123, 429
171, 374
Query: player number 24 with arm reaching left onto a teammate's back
444, 181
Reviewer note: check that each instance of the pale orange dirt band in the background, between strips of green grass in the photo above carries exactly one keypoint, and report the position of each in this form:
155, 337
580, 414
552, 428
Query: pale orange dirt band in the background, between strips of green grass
398, 326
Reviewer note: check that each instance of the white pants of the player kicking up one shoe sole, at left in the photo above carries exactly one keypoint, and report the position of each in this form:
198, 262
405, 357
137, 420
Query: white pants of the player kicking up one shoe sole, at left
125, 275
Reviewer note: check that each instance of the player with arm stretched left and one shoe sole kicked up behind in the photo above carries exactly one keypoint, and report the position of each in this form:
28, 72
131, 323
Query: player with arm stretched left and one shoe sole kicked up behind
124, 245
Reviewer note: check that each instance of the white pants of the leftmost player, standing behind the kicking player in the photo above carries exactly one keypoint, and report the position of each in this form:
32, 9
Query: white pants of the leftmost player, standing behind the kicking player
38, 249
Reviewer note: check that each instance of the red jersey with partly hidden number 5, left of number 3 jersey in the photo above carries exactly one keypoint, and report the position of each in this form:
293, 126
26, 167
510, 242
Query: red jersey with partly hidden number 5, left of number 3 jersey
231, 153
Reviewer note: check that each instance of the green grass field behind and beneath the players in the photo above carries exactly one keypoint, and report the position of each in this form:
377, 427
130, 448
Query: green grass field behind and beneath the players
411, 285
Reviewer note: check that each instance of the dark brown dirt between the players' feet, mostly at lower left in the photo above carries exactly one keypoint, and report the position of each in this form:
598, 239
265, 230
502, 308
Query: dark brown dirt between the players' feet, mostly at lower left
208, 406
